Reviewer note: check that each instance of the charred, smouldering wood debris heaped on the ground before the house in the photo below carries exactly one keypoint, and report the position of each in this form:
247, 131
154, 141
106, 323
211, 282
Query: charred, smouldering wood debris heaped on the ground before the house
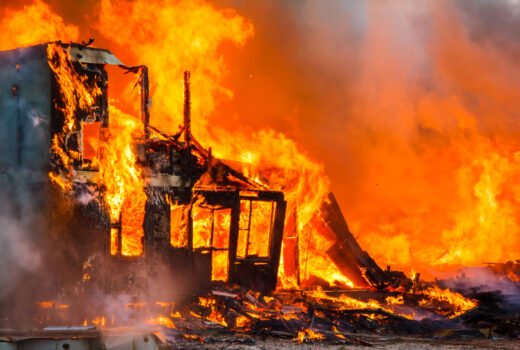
233, 315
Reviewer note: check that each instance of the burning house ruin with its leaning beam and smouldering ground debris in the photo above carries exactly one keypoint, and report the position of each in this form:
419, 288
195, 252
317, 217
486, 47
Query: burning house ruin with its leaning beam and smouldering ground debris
126, 214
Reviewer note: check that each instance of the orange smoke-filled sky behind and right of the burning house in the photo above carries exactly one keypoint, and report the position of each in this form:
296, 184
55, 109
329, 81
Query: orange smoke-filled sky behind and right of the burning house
411, 106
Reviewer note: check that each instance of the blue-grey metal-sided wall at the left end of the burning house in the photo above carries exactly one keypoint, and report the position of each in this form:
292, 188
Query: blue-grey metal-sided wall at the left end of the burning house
24, 130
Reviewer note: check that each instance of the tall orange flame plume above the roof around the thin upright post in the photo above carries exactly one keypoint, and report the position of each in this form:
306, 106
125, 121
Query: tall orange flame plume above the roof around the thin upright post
171, 37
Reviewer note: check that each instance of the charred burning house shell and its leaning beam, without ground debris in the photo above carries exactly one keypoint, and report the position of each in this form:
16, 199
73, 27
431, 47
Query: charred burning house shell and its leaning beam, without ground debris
200, 222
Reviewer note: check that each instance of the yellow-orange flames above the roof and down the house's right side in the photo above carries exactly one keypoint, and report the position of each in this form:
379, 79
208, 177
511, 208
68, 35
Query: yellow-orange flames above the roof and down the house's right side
191, 35
